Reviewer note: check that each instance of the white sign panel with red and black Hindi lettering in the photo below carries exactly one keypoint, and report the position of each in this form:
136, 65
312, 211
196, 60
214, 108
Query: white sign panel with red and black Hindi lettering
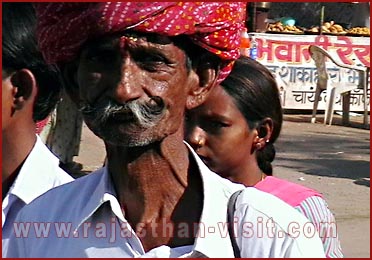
287, 57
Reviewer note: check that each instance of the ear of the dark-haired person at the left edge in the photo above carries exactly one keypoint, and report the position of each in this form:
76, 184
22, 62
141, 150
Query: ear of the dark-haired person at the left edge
24, 88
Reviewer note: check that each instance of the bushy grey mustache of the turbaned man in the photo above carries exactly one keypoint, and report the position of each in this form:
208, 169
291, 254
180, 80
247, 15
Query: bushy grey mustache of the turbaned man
145, 113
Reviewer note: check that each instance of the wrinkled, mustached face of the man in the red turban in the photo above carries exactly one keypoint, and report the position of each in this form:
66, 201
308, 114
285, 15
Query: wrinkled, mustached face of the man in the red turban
133, 89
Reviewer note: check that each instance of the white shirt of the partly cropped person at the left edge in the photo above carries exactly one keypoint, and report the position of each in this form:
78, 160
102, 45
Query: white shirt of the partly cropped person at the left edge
39, 173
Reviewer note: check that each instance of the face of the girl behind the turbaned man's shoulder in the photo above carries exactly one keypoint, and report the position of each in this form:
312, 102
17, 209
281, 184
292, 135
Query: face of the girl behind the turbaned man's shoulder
218, 132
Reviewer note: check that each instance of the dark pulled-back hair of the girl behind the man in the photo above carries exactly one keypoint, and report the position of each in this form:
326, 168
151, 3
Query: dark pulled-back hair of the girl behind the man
255, 93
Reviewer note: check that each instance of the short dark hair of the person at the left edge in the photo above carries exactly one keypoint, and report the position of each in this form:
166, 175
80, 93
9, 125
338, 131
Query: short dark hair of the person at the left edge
20, 51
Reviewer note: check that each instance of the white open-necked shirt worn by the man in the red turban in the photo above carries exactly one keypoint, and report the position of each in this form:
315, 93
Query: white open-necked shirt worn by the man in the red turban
89, 212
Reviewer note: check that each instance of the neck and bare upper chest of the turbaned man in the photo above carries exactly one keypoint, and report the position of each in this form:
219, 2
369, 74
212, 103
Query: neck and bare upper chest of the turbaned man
155, 188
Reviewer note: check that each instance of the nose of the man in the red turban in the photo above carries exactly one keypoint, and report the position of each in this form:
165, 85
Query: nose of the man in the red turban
130, 86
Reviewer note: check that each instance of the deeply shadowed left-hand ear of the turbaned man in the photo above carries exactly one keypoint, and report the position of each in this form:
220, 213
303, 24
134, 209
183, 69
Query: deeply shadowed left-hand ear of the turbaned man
69, 77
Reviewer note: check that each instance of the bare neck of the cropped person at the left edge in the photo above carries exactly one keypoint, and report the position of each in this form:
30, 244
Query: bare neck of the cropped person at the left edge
17, 143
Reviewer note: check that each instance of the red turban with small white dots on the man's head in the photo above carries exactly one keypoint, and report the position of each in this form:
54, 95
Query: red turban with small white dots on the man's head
64, 27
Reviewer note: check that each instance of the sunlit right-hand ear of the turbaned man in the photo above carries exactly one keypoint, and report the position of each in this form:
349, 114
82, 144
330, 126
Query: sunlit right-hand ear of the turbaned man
207, 78
